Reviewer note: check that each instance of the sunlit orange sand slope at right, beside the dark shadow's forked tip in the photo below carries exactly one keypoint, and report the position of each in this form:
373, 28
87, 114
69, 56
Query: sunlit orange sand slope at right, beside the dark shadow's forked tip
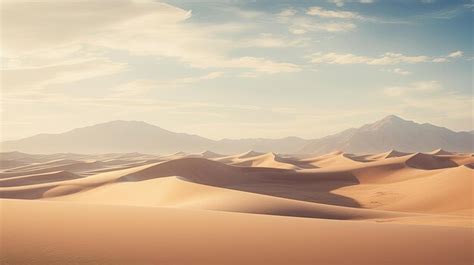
425, 193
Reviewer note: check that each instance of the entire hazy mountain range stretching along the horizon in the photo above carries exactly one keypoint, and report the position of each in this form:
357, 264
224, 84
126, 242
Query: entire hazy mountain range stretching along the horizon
391, 132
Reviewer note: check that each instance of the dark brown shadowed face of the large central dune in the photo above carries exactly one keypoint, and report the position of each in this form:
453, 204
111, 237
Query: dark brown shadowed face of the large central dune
285, 183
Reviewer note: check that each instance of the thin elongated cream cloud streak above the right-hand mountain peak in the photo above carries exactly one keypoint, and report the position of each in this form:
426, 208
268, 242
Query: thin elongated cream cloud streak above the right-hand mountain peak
388, 58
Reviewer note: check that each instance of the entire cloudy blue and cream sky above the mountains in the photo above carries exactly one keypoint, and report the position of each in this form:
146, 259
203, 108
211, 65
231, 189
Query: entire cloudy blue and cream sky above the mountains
234, 68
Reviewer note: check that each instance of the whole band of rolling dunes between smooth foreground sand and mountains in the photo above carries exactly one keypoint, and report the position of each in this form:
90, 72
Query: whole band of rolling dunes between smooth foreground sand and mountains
259, 183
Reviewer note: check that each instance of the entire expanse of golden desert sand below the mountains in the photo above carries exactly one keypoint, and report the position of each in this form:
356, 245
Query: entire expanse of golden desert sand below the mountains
250, 208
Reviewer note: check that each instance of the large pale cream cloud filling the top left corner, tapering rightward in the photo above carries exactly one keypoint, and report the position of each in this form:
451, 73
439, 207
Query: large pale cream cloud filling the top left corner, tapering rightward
41, 25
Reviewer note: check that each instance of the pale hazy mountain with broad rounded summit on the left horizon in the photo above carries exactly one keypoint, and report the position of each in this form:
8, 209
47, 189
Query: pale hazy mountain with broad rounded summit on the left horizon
111, 137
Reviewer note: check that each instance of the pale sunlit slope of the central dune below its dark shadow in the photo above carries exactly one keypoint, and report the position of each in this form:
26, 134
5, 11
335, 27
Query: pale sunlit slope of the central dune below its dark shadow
179, 192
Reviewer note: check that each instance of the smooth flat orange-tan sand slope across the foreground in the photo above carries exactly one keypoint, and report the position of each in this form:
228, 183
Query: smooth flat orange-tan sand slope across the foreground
153, 235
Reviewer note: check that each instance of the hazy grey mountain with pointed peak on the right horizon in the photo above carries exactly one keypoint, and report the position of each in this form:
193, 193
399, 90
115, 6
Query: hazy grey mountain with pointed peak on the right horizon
393, 132
